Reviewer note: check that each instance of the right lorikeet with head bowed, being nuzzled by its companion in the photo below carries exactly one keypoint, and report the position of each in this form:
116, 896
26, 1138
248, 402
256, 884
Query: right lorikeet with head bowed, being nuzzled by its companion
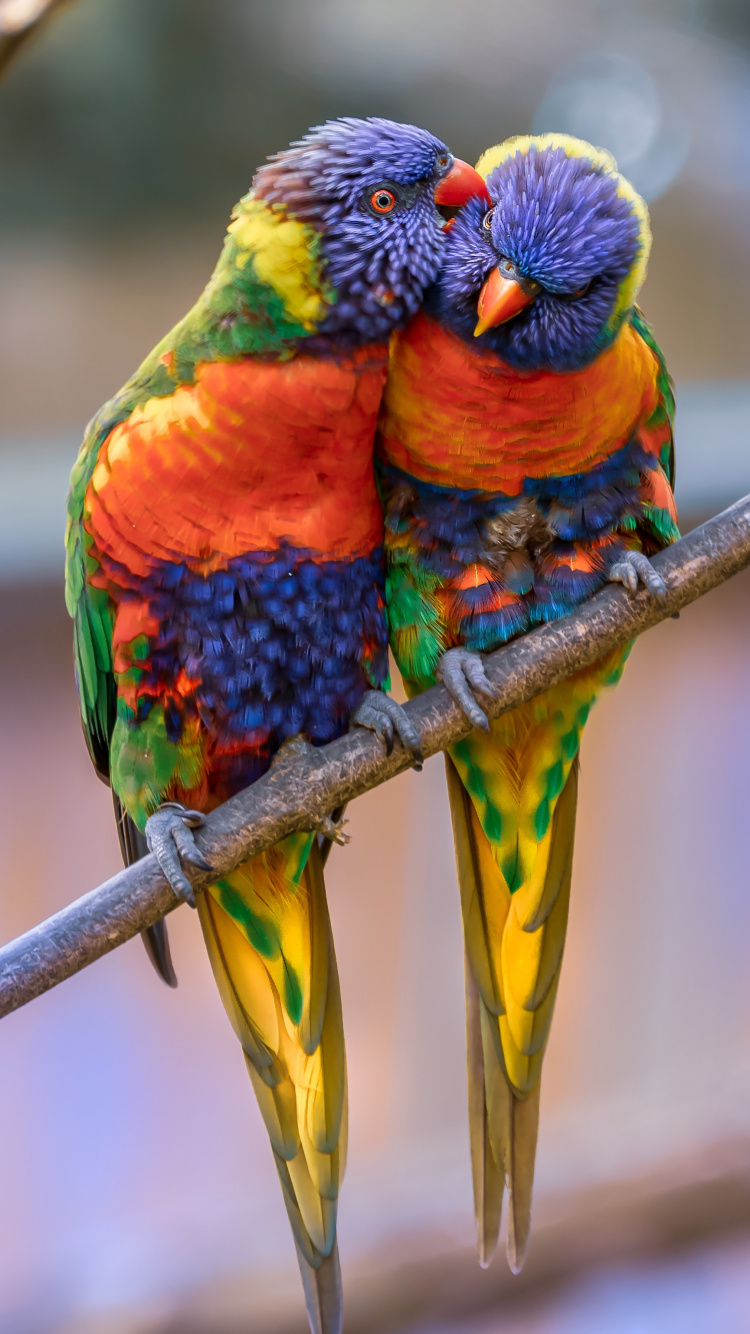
525, 458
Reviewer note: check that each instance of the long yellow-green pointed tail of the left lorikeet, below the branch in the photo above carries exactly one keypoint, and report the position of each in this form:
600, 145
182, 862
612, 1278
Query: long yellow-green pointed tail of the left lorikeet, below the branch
270, 942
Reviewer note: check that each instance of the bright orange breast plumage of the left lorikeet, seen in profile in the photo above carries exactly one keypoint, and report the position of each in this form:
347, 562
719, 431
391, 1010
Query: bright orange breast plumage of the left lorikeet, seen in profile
249, 457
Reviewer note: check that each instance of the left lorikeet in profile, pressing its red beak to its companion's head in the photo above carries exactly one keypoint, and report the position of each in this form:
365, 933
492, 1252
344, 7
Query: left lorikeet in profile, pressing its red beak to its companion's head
226, 578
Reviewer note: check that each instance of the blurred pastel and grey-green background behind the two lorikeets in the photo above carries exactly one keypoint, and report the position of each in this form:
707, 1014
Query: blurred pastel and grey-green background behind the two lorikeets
138, 1192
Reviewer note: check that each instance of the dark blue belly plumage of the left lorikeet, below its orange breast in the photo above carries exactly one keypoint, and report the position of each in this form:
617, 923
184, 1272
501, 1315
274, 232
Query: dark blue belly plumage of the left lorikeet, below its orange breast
276, 645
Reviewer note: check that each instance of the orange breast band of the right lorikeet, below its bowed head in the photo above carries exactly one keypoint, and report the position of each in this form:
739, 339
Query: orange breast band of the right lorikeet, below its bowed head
462, 418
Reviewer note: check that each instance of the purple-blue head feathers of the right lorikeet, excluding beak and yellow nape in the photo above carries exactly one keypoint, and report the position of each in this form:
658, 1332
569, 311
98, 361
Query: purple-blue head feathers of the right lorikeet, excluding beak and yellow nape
562, 223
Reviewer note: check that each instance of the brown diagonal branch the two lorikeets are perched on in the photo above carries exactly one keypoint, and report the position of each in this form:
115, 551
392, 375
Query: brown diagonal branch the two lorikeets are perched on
300, 792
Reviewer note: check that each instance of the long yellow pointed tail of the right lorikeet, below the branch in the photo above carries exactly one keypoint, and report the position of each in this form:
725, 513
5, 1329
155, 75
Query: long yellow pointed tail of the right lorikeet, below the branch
514, 944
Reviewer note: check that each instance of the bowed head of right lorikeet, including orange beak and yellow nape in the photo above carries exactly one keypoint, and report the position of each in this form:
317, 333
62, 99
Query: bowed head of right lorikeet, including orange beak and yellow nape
548, 275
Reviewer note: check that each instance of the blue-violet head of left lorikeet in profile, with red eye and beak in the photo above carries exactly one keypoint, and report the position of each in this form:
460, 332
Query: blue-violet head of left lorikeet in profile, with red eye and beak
370, 189
